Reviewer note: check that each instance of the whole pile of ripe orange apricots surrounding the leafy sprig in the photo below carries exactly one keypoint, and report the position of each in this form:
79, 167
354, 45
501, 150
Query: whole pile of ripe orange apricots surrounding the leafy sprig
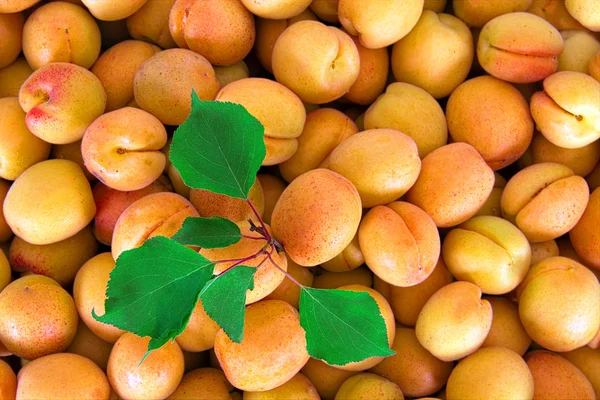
441, 156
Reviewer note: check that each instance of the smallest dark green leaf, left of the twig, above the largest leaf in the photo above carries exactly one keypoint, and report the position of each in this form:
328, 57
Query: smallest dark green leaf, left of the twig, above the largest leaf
208, 233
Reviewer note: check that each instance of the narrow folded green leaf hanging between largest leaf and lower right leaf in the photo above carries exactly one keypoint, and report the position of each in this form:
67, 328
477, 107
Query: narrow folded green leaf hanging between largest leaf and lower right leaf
224, 299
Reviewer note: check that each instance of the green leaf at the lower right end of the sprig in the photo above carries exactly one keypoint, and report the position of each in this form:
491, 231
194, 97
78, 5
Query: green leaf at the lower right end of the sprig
342, 326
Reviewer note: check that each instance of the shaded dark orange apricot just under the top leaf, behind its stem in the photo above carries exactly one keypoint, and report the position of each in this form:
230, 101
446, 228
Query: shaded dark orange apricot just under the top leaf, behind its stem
211, 204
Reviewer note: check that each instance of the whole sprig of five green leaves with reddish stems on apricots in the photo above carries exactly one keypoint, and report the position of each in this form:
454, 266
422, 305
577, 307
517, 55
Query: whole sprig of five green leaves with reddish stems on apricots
154, 288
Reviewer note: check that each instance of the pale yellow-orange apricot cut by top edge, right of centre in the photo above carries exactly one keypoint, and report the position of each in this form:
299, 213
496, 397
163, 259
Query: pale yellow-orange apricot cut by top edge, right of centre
382, 23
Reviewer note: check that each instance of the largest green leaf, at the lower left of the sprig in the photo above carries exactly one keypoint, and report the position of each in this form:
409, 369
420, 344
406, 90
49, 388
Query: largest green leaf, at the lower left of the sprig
153, 289
